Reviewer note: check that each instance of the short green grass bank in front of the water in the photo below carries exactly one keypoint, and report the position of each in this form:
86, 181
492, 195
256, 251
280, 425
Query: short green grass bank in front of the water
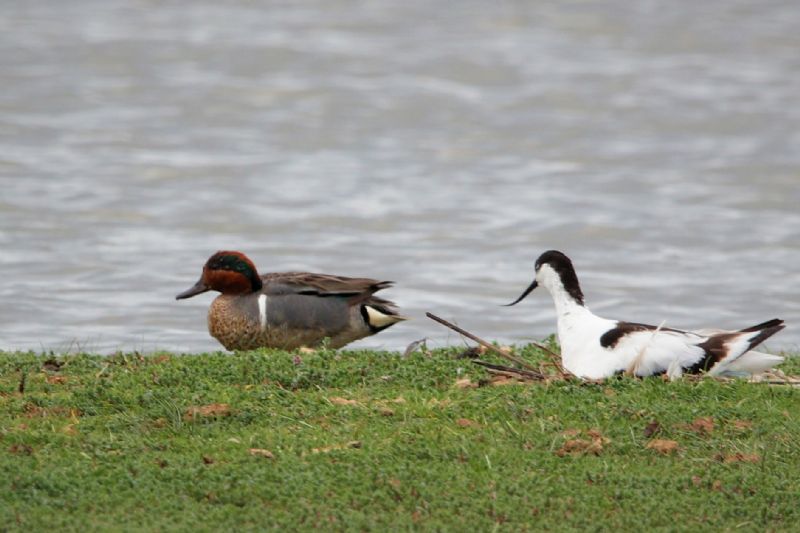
106, 443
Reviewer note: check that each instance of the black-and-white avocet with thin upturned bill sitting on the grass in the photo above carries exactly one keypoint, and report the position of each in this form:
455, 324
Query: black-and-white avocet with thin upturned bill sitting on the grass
593, 347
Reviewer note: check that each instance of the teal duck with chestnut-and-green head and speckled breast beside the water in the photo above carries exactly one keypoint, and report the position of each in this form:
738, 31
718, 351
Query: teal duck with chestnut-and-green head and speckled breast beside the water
289, 310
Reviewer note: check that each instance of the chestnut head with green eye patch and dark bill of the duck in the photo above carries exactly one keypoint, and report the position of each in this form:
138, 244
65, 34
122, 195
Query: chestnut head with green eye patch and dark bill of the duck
227, 272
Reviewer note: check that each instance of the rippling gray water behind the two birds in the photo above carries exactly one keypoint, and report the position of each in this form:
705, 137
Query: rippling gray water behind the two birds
441, 145
